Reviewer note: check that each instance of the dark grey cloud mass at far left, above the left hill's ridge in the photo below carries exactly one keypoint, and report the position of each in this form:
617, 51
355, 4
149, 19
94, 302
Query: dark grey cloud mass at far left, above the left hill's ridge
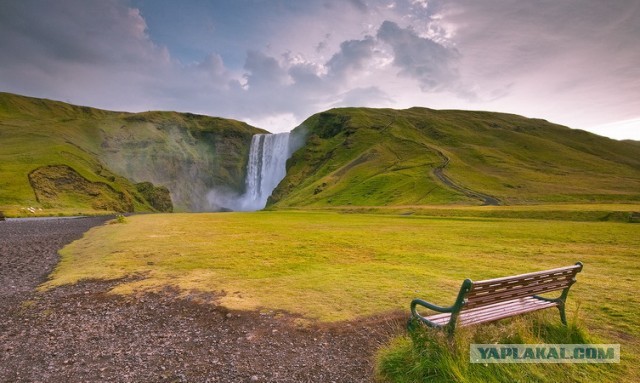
92, 53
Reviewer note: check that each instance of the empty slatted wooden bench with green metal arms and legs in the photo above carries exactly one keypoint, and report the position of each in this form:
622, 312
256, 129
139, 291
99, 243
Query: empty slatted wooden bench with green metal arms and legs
494, 299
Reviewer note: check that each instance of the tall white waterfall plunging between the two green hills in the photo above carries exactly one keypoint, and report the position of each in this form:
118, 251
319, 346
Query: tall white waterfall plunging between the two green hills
266, 168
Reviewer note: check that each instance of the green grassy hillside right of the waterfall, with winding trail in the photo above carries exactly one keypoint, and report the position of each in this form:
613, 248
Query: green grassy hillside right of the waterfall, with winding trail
377, 157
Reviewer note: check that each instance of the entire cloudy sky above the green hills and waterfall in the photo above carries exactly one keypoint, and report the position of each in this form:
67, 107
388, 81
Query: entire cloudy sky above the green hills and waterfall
273, 63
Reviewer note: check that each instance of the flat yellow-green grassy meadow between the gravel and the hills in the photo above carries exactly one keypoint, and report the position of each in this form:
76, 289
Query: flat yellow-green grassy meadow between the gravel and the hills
333, 266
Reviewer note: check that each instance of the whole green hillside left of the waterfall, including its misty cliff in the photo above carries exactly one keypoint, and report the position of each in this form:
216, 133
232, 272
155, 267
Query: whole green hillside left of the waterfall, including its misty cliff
67, 159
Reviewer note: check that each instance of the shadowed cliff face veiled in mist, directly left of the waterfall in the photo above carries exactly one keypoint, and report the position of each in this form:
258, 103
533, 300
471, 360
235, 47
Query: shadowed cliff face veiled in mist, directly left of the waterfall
195, 157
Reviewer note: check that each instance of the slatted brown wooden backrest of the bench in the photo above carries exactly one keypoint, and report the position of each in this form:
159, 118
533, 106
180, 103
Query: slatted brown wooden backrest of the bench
483, 293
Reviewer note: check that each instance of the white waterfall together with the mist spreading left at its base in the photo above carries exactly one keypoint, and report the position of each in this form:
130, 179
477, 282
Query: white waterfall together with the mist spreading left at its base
266, 167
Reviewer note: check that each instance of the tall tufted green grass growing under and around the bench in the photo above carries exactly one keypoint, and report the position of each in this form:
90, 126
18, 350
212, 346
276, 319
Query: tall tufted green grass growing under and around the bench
427, 354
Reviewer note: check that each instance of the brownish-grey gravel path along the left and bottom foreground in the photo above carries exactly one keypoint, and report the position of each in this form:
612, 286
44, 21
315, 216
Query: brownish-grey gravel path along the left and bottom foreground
81, 334
